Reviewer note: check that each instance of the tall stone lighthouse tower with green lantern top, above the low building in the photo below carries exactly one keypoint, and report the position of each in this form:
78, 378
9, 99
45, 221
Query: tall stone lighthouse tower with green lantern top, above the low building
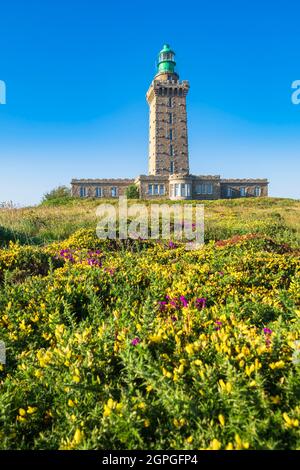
168, 141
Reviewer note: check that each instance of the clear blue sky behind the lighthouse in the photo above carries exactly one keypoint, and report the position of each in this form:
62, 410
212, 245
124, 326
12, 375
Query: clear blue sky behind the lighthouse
77, 72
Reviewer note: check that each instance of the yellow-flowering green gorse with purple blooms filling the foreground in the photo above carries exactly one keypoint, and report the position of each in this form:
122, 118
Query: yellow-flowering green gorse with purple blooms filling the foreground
155, 348
